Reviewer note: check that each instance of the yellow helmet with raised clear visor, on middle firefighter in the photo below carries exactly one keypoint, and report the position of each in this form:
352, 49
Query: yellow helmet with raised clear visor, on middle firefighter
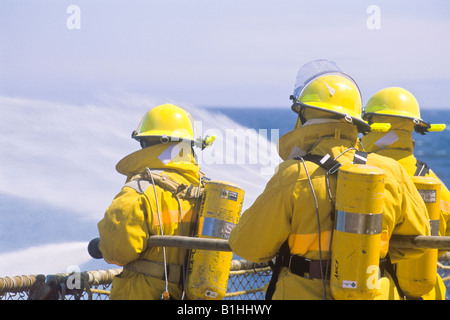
323, 86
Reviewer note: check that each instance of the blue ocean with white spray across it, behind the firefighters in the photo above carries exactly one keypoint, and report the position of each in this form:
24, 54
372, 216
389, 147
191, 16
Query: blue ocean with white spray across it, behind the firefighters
57, 173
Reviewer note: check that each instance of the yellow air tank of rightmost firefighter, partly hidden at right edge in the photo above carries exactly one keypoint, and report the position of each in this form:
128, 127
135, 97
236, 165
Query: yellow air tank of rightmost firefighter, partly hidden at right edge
417, 277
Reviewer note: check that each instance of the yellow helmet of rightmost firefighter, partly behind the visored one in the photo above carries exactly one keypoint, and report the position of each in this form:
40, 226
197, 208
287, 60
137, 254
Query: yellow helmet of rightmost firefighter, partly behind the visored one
398, 102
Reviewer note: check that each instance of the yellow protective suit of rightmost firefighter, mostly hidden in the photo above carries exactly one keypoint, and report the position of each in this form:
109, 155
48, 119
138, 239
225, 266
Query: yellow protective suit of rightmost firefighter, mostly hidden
399, 145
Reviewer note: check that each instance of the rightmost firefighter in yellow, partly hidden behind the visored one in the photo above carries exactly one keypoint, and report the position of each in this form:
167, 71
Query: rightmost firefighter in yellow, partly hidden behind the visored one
400, 108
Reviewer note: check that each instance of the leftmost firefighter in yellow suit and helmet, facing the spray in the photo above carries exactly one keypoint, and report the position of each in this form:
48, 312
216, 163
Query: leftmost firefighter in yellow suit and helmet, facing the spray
144, 208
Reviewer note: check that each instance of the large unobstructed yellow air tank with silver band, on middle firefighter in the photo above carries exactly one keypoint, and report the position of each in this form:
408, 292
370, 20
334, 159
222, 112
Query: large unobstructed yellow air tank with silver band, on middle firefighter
355, 250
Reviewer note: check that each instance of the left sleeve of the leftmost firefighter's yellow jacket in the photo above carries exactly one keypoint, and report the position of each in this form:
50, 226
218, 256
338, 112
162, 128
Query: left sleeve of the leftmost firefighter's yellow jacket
124, 230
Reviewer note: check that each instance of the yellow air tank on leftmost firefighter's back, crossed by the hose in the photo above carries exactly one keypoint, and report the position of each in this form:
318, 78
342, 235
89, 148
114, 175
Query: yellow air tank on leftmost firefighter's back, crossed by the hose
209, 270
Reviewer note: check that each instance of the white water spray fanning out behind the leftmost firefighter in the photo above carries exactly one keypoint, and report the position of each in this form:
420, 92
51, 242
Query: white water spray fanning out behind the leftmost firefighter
65, 155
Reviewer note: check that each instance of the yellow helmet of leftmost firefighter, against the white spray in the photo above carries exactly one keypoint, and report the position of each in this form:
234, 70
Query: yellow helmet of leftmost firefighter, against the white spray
166, 122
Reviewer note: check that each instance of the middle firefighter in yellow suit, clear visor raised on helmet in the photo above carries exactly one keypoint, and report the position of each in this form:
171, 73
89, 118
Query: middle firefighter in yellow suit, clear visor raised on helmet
328, 104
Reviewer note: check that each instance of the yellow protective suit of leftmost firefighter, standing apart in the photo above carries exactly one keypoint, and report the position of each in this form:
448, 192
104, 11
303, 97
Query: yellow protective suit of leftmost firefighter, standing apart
133, 217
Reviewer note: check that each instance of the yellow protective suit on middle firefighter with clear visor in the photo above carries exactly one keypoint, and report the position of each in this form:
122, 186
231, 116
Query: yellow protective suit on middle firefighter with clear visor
286, 208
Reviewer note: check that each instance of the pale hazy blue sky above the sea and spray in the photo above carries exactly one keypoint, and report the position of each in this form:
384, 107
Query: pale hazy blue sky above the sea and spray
218, 53
